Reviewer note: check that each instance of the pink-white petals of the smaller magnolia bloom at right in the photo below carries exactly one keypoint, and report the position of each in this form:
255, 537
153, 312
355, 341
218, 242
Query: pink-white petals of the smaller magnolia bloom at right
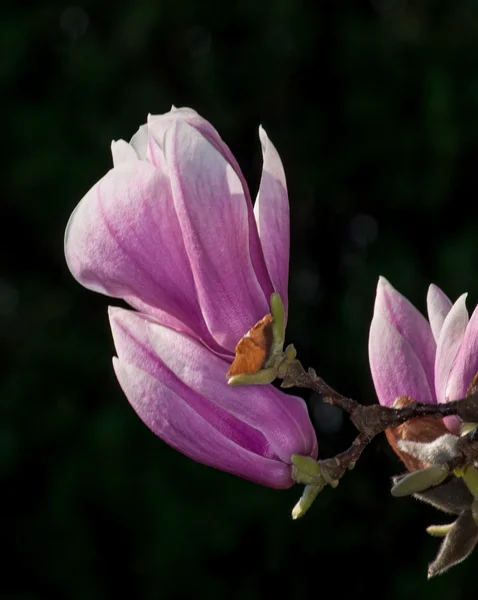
430, 361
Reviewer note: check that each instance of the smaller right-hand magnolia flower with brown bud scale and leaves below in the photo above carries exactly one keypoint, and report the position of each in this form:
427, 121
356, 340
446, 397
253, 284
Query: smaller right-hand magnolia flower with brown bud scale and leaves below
430, 361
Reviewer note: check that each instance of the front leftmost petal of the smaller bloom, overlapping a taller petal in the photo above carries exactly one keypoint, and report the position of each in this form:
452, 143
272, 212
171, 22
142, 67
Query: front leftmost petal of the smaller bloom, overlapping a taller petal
396, 368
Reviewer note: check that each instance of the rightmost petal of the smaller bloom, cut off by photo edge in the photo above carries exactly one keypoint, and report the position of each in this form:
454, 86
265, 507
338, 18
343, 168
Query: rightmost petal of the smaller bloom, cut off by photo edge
465, 366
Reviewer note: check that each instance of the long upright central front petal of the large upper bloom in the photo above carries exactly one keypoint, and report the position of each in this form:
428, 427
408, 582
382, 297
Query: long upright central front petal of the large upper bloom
213, 216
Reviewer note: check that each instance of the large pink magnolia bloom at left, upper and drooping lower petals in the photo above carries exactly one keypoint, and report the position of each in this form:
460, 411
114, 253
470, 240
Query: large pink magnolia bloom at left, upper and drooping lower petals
171, 230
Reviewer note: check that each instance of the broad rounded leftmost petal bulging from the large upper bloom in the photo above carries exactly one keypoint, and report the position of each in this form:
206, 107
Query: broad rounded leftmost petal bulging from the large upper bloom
124, 240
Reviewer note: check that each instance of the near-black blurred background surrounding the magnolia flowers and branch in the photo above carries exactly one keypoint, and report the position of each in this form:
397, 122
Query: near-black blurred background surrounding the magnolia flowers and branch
373, 106
